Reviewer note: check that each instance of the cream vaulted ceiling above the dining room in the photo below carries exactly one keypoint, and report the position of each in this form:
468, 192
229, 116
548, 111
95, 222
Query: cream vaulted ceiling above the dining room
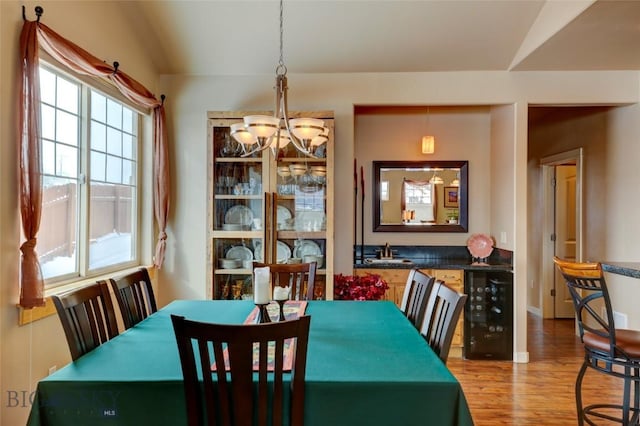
324, 36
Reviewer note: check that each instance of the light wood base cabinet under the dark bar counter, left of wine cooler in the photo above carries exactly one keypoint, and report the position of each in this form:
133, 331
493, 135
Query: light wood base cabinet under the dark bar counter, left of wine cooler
397, 280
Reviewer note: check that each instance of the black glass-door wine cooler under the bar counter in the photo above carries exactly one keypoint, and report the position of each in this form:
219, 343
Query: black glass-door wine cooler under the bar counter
488, 317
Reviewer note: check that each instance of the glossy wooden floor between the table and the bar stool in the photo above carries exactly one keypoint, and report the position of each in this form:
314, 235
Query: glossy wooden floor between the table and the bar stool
540, 392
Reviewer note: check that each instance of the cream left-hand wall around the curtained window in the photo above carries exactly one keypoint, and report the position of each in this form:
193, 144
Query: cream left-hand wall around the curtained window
101, 27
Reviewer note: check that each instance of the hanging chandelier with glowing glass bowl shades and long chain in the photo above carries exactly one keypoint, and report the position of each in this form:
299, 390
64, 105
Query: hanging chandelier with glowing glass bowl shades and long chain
258, 132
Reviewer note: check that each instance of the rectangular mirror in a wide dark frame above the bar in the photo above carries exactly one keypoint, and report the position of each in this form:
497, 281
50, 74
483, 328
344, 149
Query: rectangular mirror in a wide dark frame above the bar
420, 196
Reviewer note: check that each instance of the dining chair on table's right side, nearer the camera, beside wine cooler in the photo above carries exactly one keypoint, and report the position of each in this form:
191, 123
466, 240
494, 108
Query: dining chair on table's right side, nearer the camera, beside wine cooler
441, 318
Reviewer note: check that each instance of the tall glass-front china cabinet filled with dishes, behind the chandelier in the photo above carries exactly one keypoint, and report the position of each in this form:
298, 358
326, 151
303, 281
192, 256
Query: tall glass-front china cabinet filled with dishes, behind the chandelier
270, 207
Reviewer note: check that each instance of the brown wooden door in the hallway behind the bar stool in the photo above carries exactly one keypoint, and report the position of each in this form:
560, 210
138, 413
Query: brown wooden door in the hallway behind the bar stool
565, 233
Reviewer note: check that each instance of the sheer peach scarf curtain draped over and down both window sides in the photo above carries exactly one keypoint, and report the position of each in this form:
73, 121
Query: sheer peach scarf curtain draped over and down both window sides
34, 35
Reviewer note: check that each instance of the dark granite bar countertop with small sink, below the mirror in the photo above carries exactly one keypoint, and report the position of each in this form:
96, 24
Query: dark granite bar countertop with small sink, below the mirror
435, 263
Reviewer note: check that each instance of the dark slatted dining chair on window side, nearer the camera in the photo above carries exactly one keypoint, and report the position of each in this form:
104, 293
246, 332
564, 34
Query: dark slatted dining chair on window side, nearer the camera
87, 317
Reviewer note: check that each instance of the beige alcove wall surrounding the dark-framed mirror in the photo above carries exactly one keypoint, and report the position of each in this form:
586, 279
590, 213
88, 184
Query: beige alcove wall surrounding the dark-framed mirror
392, 133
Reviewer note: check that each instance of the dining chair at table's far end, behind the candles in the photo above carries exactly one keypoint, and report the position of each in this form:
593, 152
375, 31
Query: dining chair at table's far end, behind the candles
301, 277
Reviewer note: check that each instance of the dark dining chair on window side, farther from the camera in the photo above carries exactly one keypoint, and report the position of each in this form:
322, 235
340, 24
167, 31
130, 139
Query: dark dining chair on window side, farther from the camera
134, 294
